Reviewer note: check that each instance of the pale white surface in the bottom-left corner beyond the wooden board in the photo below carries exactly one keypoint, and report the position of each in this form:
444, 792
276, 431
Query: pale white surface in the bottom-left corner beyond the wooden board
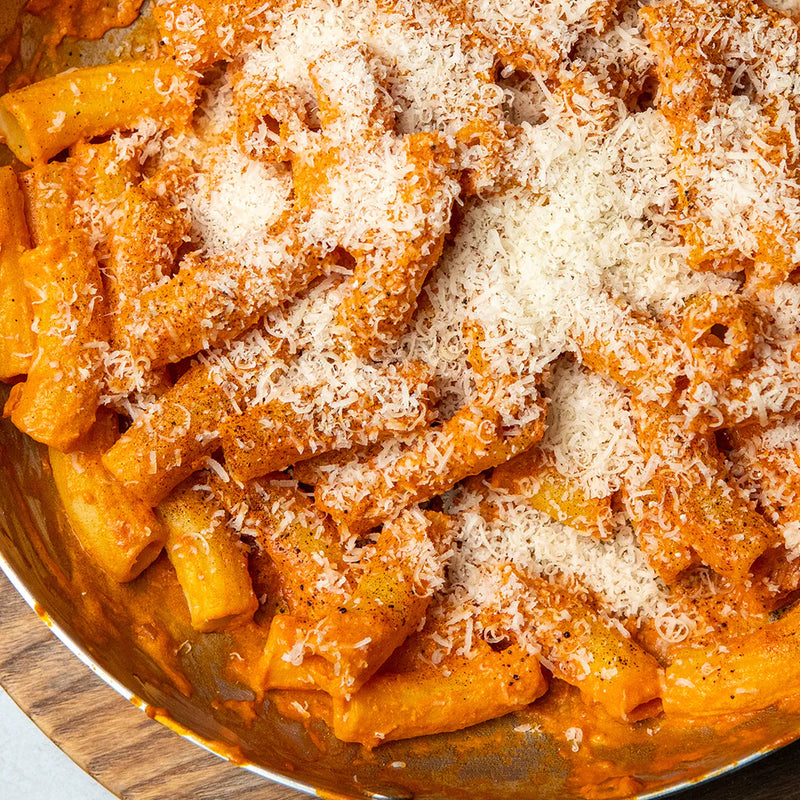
33, 768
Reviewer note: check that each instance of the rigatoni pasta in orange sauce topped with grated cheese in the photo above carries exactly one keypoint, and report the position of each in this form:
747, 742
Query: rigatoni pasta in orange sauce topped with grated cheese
438, 357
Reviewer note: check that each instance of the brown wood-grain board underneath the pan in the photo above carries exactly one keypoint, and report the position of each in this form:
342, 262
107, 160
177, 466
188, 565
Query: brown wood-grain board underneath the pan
138, 759
